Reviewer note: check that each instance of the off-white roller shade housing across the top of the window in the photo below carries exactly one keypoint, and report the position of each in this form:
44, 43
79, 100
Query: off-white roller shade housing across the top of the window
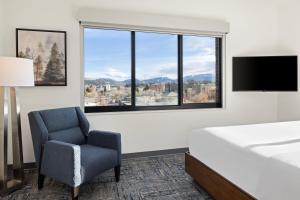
159, 23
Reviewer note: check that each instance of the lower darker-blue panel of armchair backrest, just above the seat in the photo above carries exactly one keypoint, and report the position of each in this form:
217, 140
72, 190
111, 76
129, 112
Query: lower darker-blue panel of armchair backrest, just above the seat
72, 135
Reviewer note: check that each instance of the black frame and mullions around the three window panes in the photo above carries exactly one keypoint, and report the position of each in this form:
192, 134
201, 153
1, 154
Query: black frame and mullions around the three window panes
219, 65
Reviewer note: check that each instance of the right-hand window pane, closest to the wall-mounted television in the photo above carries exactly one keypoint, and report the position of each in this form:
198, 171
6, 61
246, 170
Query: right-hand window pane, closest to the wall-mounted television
199, 69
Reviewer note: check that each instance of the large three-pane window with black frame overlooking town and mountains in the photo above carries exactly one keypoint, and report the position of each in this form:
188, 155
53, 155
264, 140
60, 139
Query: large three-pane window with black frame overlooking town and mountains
128, 70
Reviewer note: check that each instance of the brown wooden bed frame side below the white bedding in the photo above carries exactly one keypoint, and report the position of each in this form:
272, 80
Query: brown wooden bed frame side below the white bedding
215, 184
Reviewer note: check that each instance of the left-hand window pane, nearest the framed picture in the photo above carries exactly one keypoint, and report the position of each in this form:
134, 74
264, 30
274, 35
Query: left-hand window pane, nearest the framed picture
107, 61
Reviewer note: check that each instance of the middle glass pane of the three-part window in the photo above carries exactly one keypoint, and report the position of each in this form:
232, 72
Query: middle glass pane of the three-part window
156, 69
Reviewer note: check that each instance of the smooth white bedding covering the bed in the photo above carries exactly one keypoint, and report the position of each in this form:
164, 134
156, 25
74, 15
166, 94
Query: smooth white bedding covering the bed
262, 159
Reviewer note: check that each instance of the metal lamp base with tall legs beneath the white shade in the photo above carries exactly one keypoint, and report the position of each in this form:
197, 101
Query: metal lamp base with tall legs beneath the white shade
9, 185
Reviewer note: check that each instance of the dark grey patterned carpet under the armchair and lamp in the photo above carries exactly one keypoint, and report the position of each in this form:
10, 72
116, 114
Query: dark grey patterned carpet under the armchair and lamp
155, 178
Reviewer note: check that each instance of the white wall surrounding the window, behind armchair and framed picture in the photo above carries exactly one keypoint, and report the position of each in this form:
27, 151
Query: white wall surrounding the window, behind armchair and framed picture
253, 31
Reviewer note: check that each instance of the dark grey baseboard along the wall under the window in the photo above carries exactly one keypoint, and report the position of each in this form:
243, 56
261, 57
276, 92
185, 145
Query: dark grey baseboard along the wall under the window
32, 165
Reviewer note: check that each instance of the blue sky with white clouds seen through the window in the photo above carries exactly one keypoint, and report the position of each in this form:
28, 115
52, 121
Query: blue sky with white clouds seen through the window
107, 55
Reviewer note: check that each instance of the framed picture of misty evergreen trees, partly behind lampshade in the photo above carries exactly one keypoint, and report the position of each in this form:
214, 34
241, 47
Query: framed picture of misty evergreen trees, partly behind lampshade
47, 49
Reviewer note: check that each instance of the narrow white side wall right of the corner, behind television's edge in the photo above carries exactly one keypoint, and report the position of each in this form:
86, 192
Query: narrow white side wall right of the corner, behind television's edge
289, 40
